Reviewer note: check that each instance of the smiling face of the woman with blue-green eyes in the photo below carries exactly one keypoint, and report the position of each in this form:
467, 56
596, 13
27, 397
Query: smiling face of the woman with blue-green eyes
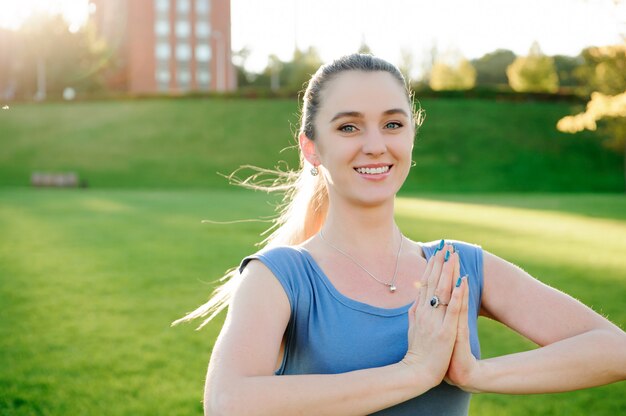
364, 136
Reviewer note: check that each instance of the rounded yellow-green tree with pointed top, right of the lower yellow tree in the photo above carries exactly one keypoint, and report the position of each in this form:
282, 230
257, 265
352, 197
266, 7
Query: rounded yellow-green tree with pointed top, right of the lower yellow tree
533, 73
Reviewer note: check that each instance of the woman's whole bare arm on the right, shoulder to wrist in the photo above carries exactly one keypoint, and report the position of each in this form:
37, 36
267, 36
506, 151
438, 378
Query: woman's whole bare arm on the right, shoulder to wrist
578, 347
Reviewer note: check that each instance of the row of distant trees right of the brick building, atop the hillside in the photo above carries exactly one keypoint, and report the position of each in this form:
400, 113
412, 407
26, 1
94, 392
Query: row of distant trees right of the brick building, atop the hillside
502, 68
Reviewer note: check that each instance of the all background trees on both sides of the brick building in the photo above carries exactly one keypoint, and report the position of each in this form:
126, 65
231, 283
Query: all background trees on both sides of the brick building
45, 58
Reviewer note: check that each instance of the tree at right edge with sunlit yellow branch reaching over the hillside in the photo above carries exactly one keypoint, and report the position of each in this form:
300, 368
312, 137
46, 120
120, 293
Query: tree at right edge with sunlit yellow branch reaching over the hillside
605, 73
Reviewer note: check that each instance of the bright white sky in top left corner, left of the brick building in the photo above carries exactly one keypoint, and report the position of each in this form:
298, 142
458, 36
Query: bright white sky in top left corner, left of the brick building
14, 13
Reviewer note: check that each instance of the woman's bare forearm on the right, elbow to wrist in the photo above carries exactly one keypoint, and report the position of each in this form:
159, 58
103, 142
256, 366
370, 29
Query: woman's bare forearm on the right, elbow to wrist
590, 359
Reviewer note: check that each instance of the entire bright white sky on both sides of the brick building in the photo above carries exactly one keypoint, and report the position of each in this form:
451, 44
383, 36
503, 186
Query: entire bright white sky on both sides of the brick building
389, 27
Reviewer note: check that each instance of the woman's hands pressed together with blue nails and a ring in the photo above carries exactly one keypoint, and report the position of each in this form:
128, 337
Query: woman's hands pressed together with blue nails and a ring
439, 344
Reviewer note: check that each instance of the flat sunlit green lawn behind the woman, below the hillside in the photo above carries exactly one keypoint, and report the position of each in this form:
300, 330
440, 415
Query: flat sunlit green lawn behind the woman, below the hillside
90, 281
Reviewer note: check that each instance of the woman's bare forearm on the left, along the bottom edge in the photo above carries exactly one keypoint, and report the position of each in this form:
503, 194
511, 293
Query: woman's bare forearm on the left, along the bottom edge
353, 393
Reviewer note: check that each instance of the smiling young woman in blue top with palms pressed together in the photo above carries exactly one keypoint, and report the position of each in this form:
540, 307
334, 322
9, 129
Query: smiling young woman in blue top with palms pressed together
340, 314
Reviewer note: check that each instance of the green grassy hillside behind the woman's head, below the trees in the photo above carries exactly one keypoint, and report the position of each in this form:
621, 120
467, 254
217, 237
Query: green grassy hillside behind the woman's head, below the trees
464, 145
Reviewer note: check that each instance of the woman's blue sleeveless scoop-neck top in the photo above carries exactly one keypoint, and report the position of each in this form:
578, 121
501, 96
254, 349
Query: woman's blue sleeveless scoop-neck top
329, 333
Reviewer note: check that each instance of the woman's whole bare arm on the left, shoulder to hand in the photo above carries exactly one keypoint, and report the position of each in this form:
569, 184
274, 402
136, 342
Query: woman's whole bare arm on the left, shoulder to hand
241, 378
